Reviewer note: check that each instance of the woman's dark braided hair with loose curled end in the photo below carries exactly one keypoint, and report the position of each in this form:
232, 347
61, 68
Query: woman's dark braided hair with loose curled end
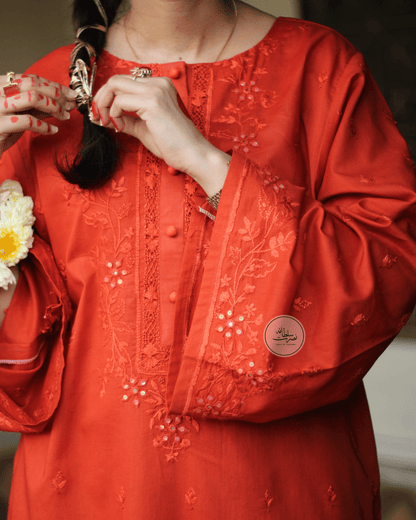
96, 159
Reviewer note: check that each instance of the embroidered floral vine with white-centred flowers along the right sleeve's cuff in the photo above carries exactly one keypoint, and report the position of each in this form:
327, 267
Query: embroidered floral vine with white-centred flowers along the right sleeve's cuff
236, 371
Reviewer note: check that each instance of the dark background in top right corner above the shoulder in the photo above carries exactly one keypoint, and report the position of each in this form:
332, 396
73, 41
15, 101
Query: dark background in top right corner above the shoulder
384, 31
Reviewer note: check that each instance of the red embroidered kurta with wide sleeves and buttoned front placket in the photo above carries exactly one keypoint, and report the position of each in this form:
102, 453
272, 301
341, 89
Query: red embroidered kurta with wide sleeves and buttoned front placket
163, 365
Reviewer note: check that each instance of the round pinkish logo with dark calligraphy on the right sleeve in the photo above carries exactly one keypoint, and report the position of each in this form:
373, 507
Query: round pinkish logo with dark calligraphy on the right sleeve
284, 336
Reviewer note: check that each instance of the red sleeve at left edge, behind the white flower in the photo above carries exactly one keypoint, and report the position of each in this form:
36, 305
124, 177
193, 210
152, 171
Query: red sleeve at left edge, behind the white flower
33, 331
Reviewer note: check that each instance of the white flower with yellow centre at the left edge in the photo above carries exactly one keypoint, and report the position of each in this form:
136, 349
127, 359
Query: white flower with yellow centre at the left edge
16, 233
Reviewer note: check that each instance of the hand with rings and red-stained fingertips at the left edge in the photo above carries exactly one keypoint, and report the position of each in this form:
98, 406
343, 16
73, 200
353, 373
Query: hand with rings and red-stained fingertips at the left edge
37, 100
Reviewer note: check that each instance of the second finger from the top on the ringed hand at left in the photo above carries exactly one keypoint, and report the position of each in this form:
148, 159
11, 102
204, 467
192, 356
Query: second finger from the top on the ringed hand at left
33, 100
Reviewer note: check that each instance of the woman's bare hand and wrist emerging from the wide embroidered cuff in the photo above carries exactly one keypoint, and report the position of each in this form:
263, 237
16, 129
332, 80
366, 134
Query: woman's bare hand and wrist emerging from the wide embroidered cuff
161, 126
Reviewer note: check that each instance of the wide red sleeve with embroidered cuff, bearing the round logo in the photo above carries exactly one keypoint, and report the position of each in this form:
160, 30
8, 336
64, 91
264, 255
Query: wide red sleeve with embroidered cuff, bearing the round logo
305, 285
